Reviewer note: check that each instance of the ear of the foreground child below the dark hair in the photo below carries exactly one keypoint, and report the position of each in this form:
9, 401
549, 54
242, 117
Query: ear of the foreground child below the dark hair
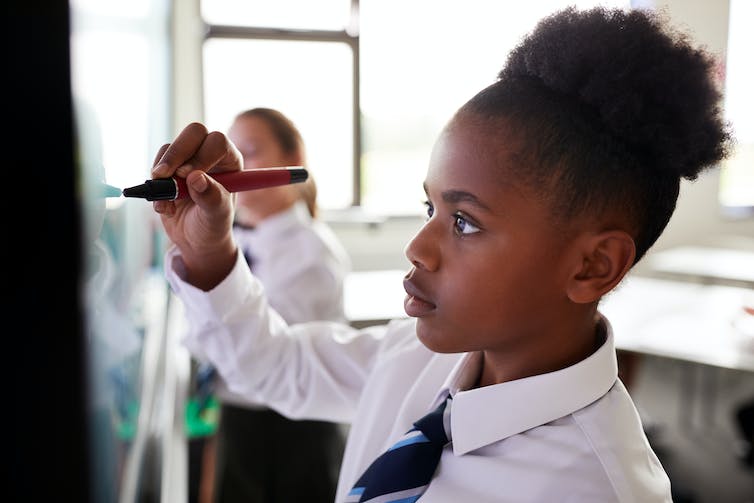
606, 257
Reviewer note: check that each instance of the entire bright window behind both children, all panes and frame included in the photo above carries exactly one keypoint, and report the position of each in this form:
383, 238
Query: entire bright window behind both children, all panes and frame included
418, 61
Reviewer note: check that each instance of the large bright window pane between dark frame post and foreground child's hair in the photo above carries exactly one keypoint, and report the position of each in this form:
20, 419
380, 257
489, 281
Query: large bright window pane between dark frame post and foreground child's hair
417, 68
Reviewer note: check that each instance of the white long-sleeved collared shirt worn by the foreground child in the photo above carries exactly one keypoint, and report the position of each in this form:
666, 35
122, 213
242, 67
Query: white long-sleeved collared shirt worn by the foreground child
570, 435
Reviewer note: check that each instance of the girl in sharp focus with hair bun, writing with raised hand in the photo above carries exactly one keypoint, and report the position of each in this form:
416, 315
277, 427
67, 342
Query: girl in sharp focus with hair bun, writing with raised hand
542, 192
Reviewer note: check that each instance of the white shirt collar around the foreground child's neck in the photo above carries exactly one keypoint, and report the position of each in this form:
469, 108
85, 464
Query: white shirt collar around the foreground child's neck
482, 416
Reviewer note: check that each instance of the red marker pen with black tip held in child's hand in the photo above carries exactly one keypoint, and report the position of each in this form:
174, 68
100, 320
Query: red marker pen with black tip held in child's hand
234, 181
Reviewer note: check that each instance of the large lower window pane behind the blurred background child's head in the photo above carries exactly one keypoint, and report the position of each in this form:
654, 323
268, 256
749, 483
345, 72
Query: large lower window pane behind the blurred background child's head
310, 82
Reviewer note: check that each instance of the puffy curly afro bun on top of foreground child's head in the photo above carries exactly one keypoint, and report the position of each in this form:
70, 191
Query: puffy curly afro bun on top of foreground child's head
651, 90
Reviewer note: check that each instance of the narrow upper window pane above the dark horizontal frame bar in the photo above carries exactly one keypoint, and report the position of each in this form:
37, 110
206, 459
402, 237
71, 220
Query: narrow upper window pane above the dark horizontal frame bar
294, 14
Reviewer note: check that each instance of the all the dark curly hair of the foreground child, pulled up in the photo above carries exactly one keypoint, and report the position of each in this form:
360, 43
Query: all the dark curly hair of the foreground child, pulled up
610, 109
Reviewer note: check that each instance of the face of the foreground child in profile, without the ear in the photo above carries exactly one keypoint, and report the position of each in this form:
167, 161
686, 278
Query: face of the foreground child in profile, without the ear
488, 271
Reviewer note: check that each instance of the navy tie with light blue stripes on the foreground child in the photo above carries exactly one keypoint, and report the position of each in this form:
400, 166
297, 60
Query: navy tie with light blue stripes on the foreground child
403, 472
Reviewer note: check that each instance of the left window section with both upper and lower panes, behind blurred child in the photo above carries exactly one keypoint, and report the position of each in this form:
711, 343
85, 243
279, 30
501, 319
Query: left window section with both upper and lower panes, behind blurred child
296, 56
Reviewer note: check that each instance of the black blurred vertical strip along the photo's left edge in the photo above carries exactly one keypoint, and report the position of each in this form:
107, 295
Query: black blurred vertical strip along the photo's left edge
44, 363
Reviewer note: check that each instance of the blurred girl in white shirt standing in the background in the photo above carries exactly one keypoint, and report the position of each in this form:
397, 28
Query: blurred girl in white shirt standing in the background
302, 267
